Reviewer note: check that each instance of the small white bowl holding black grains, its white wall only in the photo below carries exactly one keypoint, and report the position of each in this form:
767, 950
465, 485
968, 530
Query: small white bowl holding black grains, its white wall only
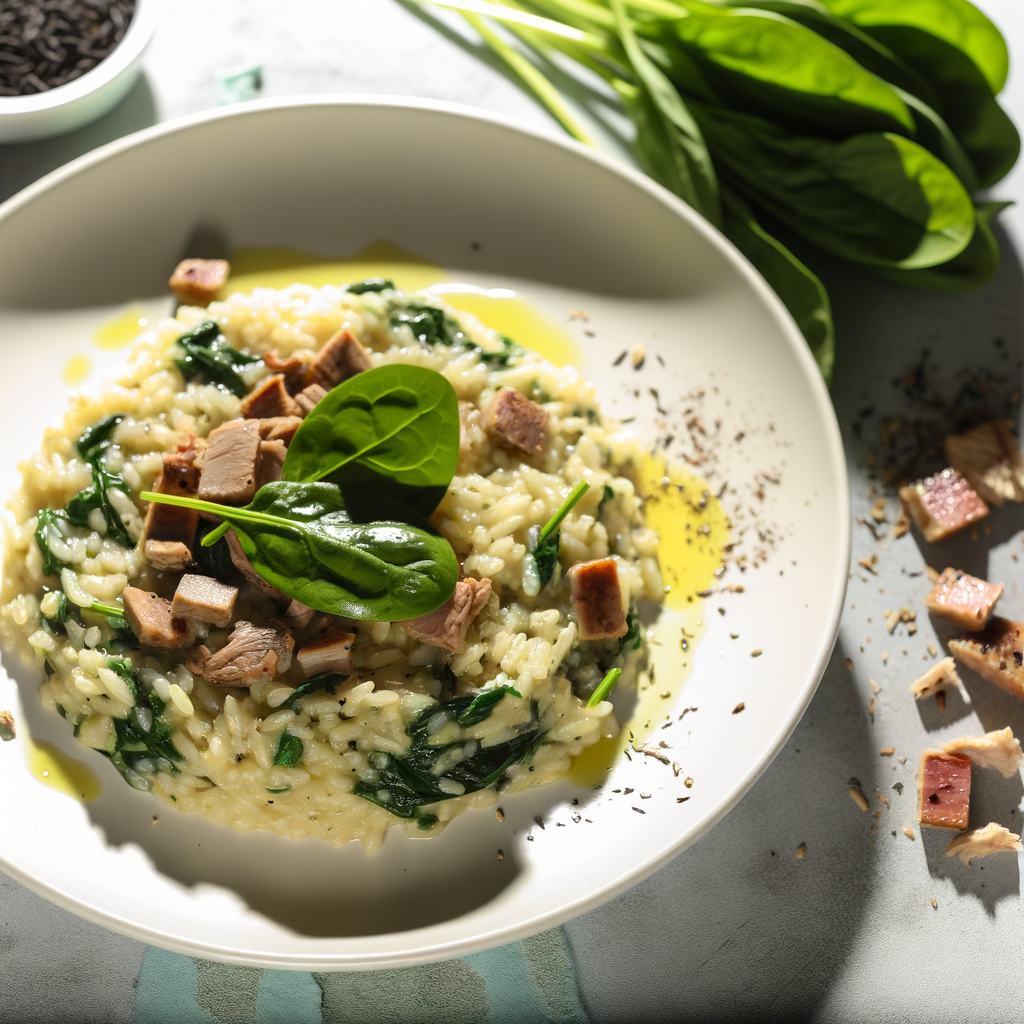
69, 107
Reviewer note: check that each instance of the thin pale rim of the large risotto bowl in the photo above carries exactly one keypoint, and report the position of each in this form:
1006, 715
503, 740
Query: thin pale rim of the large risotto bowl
455, 948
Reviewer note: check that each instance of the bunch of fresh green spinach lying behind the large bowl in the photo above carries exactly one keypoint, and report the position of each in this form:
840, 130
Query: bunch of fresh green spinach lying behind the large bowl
863, 127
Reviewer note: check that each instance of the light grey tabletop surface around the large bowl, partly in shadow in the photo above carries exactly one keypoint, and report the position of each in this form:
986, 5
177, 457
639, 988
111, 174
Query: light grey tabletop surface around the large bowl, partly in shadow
738, 927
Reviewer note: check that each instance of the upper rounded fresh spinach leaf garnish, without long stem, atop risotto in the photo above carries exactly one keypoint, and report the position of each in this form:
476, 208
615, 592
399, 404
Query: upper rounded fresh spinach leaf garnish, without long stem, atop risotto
394, 430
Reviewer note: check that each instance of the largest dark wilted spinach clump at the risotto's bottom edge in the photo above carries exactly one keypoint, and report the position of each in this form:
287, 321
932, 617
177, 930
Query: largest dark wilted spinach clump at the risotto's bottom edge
408, 783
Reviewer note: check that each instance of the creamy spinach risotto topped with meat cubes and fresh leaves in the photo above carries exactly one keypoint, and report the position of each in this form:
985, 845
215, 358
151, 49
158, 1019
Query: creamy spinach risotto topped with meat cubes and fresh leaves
312, 672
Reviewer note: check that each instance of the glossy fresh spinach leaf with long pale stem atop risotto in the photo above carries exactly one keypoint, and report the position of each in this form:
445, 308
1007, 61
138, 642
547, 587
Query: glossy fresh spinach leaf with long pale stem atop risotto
360, 556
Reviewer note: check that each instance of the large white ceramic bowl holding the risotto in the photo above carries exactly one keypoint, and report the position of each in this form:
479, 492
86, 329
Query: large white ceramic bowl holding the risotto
498, 205
